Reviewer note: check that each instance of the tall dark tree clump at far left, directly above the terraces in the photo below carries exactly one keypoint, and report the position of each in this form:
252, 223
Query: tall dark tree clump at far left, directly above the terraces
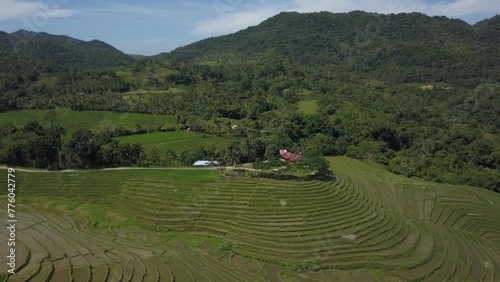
34, 145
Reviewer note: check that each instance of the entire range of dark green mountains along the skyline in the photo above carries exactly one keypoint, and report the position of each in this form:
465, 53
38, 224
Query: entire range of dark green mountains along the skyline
399, 48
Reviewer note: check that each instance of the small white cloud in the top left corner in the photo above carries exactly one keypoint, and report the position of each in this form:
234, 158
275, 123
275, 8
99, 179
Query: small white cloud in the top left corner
13, 9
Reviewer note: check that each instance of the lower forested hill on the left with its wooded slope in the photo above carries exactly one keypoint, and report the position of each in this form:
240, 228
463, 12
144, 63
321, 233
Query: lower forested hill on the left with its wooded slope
40, 63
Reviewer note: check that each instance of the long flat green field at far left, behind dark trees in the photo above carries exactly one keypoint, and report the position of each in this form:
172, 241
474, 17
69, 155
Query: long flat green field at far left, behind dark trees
95, 120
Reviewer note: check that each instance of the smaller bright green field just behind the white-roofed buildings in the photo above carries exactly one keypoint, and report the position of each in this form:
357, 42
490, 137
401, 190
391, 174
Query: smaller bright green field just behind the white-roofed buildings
176, 141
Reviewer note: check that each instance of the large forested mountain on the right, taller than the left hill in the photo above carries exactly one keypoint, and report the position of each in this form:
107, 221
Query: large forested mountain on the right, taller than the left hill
399, 48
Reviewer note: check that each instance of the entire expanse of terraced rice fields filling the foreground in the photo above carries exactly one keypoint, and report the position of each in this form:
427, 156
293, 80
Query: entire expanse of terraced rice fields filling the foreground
185, 225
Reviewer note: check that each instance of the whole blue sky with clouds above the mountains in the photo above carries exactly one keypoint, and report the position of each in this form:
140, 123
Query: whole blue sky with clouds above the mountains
152, 27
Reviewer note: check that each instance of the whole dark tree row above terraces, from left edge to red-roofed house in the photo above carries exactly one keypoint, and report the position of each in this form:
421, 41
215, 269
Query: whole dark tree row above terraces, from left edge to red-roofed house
34, 145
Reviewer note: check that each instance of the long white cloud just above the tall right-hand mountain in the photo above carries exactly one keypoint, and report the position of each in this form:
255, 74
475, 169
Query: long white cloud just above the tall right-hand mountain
231, 18
